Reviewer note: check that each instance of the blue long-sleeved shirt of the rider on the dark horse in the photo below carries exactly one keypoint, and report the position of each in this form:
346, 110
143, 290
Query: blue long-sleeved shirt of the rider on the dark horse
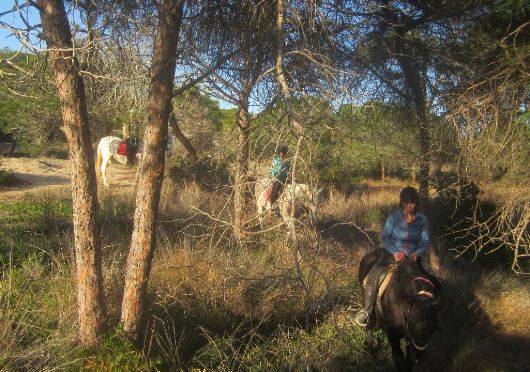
400, 236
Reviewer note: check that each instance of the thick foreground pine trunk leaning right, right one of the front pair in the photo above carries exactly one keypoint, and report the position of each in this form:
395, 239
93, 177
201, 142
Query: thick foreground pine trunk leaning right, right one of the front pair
151, 170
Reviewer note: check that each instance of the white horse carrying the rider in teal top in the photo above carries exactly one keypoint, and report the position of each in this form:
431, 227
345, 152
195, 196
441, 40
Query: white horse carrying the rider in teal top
303, 195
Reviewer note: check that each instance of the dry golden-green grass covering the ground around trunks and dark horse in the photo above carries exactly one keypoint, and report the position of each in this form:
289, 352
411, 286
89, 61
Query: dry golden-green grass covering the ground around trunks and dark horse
218, 305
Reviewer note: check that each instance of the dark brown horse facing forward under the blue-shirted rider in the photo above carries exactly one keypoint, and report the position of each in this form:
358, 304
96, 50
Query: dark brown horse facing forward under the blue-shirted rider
407, 309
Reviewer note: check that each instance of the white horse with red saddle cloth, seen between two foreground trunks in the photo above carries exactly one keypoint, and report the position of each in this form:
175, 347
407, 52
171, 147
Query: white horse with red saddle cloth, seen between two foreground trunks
108, 150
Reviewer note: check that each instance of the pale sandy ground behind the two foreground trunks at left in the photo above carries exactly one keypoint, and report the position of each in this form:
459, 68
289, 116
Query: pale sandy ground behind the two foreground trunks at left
41, 177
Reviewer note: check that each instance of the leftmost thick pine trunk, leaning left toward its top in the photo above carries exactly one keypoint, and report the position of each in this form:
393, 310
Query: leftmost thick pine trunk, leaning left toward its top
91, 309
